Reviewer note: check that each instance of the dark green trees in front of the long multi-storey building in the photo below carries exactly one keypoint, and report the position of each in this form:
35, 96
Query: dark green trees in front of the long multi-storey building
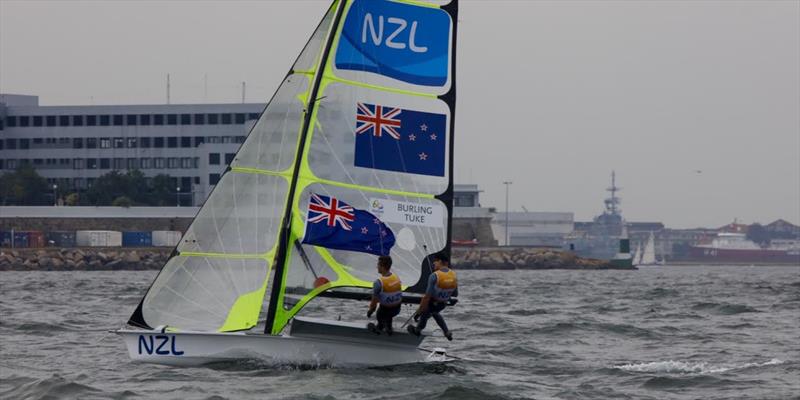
25, 187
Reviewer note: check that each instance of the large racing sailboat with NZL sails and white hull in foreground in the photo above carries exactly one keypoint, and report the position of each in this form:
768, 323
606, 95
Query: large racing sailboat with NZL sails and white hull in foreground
362, 123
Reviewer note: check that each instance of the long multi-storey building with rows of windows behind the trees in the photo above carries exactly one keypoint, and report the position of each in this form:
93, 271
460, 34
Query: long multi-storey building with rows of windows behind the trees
73, 145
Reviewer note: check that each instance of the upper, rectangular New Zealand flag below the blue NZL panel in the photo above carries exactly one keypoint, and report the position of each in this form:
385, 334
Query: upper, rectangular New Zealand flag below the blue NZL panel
395, 139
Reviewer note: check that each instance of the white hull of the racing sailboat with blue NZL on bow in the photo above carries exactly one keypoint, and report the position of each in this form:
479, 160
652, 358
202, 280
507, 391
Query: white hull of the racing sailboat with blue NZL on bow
316, 348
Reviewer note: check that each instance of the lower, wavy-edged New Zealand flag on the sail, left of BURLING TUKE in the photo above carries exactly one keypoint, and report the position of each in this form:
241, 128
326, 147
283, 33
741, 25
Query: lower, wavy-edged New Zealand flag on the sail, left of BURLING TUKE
333, 224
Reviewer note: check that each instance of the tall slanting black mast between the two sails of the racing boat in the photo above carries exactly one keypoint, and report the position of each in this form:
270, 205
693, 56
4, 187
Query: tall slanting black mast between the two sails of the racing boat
286, 223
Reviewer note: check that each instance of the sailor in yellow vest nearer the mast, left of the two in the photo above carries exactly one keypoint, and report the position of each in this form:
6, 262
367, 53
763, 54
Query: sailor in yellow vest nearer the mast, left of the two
386, 291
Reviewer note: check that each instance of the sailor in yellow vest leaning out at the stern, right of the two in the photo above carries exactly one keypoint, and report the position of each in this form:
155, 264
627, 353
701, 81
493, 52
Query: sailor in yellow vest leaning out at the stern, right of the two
442, 285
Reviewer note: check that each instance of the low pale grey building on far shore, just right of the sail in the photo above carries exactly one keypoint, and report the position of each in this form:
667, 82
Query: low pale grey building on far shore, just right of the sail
538, 229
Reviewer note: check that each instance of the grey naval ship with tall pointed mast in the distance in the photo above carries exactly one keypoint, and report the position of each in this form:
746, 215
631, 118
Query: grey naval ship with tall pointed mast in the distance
601, 238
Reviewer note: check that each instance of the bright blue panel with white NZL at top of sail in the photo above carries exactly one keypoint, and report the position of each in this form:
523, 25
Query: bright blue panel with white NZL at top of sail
402, 41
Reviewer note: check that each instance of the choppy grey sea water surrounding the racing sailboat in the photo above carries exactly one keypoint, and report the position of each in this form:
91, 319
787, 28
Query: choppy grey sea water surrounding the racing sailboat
656, 333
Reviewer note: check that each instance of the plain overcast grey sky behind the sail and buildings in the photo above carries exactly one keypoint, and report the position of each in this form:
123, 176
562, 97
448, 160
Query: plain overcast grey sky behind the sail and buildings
694, 104
